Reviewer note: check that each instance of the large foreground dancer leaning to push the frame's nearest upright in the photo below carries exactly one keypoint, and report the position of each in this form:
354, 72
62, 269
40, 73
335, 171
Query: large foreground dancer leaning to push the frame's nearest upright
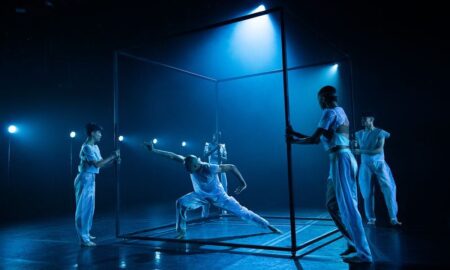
342, 203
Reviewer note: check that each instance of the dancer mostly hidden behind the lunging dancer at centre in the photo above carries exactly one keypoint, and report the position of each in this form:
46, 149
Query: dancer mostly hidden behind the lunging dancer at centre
216, 153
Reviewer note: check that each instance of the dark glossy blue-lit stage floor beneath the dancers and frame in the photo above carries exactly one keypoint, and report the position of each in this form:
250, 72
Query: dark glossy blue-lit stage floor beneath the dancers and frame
52, 244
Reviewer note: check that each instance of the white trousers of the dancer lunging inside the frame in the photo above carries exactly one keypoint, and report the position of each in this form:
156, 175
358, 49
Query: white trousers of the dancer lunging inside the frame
194, 200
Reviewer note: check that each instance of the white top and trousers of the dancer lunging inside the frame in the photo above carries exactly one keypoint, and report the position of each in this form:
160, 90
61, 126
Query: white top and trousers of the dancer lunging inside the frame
209, 190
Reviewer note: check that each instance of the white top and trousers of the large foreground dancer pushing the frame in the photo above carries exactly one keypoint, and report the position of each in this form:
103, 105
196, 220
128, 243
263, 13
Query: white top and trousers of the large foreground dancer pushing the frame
342, 199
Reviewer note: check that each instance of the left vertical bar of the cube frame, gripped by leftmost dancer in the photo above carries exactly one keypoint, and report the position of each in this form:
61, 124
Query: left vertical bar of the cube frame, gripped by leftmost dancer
116, 132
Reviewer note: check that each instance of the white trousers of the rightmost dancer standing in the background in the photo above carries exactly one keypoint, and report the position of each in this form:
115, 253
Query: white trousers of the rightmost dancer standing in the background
387, 184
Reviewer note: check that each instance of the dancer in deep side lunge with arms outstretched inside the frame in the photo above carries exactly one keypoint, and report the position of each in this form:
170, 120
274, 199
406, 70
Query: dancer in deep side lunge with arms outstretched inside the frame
208, 190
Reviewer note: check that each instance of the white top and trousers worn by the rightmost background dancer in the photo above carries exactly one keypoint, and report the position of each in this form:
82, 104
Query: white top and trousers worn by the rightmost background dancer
375, 164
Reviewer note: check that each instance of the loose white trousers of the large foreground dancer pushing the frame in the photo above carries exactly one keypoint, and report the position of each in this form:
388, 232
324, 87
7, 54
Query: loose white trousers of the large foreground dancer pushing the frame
343, 174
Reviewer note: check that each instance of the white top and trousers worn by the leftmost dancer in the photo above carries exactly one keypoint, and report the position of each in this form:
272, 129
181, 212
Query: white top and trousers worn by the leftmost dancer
85, 190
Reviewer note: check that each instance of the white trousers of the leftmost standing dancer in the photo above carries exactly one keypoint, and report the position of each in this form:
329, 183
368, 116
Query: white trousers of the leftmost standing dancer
85, 204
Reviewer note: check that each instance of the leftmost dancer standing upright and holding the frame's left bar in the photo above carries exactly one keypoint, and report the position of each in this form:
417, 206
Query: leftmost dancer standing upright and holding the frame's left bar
90, 163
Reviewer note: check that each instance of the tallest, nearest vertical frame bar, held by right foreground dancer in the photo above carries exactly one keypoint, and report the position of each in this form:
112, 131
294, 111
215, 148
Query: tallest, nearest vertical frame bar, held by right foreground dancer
288, 144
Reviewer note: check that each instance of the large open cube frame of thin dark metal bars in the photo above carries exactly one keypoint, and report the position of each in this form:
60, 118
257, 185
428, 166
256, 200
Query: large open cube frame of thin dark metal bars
292, 218
